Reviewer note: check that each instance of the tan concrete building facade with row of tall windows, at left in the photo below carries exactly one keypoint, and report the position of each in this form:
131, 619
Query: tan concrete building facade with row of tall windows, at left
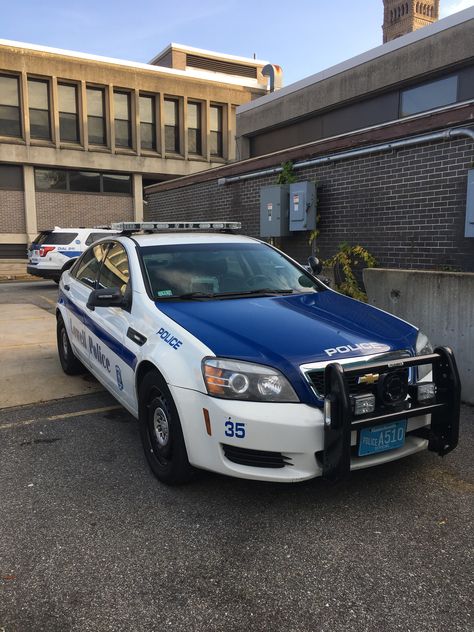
197, 143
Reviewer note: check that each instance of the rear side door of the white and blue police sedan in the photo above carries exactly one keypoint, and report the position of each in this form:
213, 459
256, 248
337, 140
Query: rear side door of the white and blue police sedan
74, 294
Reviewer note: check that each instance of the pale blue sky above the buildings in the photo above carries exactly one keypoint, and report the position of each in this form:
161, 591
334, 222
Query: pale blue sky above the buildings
302, 36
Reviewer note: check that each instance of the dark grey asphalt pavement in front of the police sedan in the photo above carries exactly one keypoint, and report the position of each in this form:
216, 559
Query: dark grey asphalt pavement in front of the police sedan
91, 541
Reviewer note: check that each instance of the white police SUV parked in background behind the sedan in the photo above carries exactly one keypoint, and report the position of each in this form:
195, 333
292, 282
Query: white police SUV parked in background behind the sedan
54, 251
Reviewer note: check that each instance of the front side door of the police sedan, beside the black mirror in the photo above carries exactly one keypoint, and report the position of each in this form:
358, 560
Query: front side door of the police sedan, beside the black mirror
108, 352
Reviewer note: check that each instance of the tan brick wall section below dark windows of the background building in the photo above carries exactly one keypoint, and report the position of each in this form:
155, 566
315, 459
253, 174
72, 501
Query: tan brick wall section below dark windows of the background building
81, 209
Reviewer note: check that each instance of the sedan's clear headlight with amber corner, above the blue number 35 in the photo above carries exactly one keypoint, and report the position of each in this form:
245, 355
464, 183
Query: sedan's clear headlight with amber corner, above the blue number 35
232, 379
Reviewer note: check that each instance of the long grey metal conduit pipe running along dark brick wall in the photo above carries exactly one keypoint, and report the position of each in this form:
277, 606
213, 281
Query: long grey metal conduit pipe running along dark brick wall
372, 149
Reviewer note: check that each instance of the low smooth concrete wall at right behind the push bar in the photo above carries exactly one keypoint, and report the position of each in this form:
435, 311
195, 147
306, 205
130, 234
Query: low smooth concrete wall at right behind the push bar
441, 304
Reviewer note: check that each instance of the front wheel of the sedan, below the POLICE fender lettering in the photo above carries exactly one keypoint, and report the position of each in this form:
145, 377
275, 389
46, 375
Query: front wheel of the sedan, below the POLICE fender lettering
161, 433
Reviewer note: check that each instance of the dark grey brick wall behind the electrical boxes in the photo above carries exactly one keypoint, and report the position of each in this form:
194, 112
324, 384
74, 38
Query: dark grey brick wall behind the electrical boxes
407, 207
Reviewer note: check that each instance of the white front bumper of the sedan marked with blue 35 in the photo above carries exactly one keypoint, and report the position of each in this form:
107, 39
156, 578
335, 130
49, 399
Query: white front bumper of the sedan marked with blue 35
289, 437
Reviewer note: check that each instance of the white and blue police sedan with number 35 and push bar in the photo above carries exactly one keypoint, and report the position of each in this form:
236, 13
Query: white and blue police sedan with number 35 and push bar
235, 359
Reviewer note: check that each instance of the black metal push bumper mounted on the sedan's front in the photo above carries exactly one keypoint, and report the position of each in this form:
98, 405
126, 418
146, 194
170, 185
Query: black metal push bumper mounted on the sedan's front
340, 422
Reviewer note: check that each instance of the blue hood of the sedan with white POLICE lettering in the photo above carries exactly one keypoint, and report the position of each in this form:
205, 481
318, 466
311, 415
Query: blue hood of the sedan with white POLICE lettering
291, 330
